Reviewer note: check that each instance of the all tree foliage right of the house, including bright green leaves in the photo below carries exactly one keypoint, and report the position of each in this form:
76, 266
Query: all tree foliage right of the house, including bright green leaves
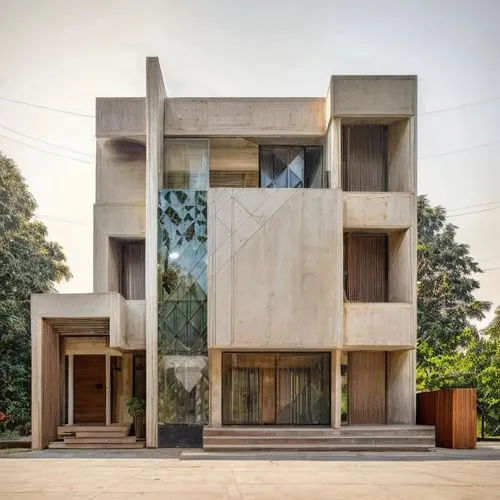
452, 353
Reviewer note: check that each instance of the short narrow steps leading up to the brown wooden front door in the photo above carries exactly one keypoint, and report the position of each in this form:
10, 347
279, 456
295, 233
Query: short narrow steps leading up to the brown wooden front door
95, 437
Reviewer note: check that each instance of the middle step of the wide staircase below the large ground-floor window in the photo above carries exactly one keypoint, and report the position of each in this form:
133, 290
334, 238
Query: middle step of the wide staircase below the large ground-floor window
333, 440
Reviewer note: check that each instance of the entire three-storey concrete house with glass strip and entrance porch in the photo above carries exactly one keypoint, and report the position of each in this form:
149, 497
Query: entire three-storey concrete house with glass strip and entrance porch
254, 276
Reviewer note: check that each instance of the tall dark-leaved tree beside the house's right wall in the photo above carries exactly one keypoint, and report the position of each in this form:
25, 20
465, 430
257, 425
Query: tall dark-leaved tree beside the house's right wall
446, 284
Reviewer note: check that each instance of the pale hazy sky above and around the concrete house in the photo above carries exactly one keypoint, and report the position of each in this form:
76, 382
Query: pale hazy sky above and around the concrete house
63, 54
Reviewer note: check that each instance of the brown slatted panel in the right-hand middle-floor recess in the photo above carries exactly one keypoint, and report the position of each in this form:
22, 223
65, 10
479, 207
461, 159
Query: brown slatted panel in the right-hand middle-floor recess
366, 267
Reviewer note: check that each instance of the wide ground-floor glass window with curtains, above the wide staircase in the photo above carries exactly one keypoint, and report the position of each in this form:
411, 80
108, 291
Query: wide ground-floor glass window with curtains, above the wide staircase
272, 388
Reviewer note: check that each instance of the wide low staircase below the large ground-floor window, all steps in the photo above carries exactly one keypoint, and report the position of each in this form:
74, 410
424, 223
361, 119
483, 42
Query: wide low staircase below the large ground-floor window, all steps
373, 438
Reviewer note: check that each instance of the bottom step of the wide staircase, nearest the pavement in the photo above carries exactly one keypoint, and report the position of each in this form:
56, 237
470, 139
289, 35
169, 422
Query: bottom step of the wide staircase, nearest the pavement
319, 447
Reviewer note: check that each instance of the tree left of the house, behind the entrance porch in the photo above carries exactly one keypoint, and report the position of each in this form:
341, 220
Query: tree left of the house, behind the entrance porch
29, 263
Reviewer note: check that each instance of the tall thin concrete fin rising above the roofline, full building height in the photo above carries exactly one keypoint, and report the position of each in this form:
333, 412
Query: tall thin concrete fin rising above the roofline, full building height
155, 115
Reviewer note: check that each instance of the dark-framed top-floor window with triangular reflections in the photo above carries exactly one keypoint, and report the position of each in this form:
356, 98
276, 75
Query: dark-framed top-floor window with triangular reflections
291, 166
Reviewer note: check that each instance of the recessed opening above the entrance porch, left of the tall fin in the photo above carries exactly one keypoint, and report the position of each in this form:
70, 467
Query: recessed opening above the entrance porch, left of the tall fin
127, 268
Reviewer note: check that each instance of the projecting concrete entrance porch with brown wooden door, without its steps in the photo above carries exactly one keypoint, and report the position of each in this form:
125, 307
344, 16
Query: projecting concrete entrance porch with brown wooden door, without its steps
73, 327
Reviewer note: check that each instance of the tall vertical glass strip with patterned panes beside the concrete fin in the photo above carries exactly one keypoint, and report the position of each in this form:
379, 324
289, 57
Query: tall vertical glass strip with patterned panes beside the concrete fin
182, 285
